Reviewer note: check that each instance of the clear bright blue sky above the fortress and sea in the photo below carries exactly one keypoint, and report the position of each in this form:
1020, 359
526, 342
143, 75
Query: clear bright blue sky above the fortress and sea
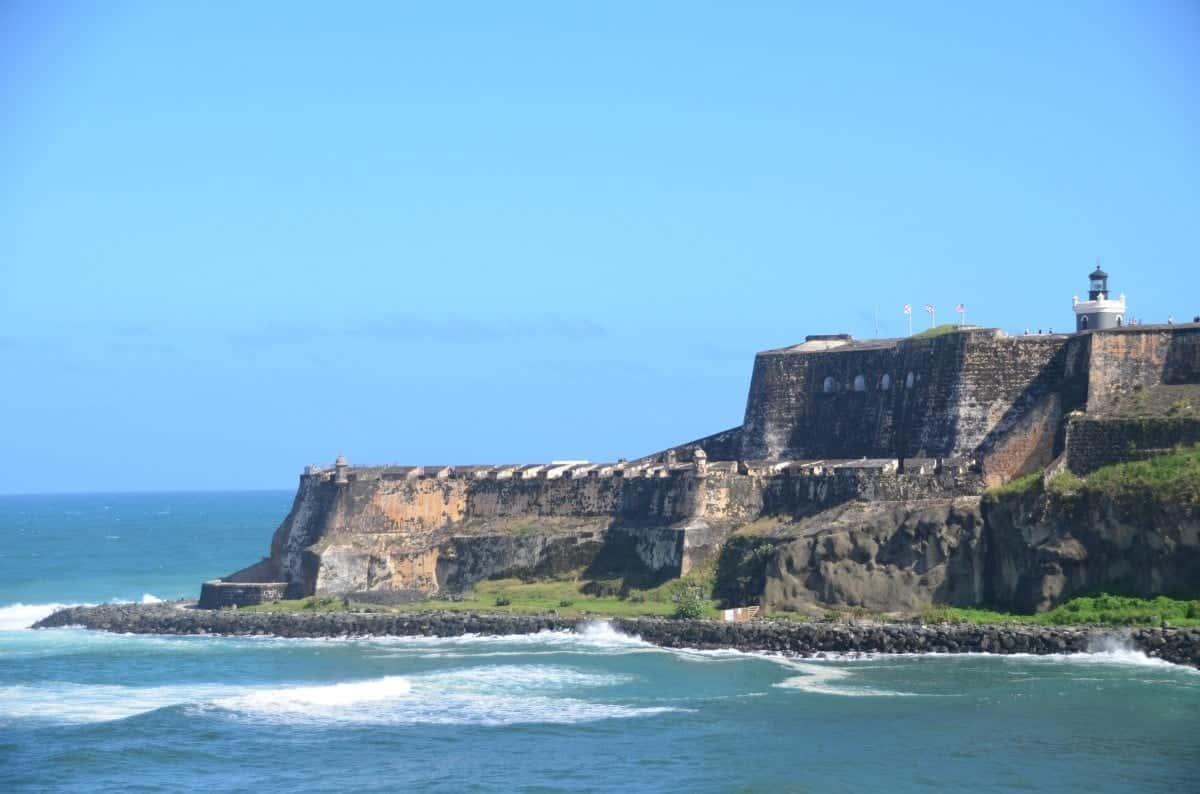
241, 238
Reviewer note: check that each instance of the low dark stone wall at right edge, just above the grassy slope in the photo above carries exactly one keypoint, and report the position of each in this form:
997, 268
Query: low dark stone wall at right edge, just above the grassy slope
1096, 443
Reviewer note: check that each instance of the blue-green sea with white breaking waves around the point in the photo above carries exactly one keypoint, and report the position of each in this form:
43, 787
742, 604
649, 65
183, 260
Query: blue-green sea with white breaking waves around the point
596, 711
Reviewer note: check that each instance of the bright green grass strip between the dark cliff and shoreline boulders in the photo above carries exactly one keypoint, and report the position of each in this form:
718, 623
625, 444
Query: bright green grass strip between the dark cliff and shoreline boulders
1102, 610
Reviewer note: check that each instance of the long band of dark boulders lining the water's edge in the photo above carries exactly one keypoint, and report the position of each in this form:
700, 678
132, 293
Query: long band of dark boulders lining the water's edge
1177, 646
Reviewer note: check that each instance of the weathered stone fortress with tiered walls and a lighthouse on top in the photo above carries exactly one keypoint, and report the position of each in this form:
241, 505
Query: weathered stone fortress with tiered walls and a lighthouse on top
836, 430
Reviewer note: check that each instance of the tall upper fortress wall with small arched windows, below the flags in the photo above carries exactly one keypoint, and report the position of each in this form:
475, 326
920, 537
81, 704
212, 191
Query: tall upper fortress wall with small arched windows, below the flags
970, 394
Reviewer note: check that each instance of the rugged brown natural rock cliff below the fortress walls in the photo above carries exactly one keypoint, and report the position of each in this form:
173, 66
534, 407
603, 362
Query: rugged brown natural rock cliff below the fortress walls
1024, 552
